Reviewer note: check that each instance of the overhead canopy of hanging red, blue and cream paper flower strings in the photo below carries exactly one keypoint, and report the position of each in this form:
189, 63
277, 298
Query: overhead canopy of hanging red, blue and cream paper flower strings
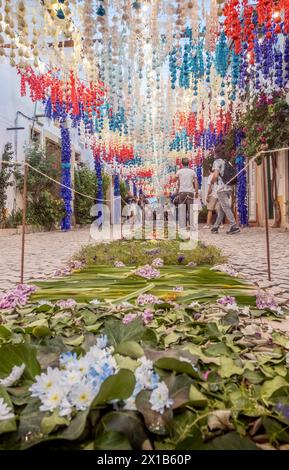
163, 77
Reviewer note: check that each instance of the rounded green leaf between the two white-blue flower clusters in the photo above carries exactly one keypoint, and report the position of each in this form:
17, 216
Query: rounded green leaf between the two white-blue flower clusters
116, 387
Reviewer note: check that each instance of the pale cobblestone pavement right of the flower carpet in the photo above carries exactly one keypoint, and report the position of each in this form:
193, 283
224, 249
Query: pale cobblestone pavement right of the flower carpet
247, 254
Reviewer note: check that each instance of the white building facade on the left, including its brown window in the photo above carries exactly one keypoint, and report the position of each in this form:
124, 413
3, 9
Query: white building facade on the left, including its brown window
21, 113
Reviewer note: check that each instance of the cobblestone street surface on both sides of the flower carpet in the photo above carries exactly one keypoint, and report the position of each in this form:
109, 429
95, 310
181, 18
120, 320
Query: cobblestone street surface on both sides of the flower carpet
48, 251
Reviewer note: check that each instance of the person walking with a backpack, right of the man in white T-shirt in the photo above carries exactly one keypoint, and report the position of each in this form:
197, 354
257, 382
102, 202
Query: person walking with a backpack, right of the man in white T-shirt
224, 192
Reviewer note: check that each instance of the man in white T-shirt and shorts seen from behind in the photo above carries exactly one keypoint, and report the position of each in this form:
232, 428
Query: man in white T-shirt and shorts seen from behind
187, 184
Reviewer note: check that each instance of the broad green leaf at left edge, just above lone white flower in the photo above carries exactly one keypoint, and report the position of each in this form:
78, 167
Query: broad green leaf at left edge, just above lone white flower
17, 354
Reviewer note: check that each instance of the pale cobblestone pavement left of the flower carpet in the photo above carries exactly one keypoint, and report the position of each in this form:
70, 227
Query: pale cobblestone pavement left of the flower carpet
45, 252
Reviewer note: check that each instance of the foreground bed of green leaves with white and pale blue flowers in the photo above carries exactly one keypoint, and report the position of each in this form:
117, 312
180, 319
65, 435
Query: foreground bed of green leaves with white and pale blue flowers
149, 373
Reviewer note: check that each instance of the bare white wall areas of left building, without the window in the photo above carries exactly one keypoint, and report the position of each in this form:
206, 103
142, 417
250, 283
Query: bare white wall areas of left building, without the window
11, 102
